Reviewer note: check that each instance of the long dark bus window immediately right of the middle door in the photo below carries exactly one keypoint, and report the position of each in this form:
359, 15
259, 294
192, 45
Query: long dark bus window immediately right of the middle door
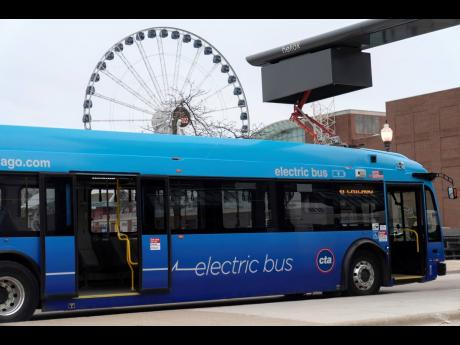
219, 206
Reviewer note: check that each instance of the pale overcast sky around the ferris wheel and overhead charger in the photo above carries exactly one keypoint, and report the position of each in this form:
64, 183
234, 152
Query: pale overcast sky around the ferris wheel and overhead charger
45, 64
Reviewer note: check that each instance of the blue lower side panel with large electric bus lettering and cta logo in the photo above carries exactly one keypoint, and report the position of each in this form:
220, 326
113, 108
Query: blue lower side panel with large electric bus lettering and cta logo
221, 266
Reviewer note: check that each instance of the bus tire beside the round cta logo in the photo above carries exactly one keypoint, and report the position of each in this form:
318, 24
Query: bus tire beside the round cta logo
365, 274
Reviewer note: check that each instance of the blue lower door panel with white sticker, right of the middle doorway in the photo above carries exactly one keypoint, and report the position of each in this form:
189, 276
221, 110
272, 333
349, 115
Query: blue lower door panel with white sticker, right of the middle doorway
154, 261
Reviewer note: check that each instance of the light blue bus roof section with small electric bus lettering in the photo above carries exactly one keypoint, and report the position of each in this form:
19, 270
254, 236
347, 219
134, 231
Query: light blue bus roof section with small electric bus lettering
65, 150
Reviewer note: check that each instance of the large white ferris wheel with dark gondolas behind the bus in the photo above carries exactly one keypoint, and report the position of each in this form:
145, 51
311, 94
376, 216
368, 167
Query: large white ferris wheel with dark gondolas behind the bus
166, 80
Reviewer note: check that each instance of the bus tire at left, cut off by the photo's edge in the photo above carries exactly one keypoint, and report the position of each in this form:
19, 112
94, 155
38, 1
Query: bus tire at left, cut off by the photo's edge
19, 292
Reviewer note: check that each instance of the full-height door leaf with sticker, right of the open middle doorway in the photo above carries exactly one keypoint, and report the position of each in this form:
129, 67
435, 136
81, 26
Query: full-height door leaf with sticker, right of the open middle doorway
156, 235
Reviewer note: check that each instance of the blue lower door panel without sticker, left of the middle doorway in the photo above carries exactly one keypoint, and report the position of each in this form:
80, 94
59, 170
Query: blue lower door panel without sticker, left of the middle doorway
60, 265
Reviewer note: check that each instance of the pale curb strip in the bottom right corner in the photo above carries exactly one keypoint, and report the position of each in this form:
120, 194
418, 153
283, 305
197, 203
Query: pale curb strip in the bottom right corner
408, 320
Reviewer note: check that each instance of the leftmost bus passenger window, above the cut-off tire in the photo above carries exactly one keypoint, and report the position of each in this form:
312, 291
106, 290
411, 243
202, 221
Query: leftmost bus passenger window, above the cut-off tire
19, 211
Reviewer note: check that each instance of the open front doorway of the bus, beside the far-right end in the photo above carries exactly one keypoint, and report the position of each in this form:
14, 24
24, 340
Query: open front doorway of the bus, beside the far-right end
406, 230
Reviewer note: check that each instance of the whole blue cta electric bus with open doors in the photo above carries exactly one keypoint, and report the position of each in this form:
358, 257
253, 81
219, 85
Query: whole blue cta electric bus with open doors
94, 219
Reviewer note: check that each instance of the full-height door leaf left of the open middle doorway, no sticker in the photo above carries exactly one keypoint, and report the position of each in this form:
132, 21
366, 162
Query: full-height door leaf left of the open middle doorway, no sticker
57, 236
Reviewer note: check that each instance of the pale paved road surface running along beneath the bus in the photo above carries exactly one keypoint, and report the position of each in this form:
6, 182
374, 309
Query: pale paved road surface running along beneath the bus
434, 303
